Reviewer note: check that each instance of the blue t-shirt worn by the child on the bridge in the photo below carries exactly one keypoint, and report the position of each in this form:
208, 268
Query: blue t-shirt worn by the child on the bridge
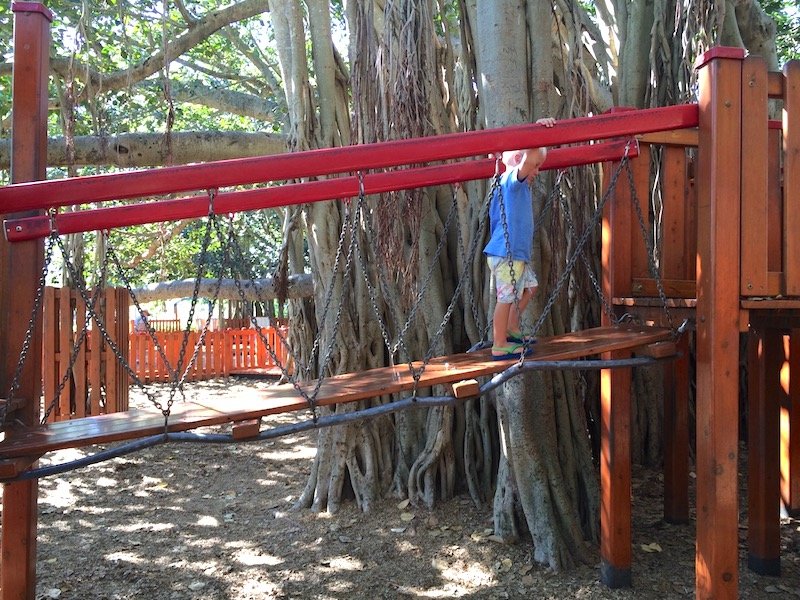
516, 199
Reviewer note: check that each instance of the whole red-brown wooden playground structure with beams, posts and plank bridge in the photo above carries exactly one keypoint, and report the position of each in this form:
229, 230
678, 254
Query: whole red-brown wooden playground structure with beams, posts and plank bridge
731, 260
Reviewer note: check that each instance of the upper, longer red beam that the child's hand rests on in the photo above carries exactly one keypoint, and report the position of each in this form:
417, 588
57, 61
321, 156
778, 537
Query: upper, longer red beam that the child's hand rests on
348, 159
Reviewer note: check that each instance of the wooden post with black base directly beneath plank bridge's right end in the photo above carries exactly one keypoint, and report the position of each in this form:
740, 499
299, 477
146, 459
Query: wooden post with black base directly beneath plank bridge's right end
615, 474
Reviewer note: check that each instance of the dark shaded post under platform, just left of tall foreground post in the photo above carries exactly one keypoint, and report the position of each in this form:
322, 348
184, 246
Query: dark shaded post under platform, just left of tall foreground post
676, 436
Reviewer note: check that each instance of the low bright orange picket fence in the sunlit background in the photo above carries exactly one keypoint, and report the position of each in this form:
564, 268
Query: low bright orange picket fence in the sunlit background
221, 353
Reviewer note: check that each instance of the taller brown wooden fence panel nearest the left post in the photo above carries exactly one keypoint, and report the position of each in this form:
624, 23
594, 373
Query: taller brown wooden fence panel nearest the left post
98, 382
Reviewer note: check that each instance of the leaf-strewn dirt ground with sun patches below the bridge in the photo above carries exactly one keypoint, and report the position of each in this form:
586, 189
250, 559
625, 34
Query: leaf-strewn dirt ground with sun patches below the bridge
191, 521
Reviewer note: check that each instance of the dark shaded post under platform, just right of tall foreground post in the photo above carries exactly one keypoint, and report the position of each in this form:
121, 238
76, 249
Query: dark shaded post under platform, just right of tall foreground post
763, 423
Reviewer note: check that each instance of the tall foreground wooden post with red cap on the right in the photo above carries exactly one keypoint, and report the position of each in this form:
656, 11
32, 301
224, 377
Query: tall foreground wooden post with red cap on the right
718, 271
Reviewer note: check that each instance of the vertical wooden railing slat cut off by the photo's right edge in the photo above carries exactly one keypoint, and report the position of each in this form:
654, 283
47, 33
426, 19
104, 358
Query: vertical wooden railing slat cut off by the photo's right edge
791, 178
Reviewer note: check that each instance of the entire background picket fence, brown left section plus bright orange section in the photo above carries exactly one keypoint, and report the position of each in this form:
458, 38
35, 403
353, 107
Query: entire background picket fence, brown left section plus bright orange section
99, 383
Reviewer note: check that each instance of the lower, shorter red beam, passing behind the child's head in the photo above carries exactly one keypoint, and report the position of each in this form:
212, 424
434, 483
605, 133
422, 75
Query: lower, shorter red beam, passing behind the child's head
298, 193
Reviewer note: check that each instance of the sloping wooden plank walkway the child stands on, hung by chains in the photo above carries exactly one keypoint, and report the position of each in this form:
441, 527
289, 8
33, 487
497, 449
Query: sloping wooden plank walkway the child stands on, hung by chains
137, 423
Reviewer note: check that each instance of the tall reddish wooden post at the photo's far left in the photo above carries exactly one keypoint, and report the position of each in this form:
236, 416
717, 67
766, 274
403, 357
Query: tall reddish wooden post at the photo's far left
20, 268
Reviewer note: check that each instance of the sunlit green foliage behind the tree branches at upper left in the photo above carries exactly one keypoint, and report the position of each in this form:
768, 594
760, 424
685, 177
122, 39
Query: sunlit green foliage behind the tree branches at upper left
119, 36
